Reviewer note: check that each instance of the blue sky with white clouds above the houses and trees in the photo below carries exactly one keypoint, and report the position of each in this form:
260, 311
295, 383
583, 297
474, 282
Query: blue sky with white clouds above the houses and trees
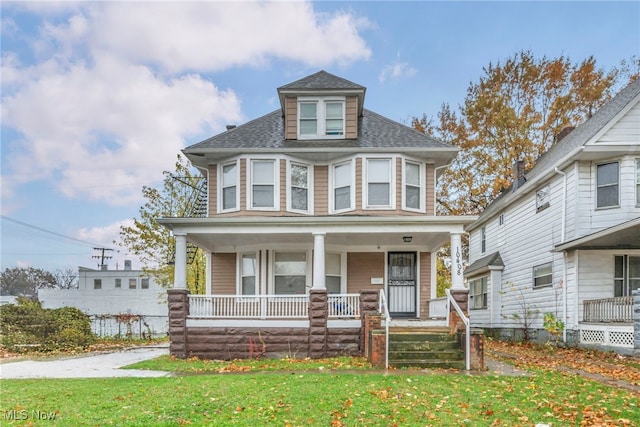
98, 98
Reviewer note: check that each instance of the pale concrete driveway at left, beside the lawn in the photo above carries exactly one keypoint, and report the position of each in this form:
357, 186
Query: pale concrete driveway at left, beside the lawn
101, 365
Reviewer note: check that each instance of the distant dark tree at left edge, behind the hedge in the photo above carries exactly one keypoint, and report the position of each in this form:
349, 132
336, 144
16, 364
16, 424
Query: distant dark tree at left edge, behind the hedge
25, 282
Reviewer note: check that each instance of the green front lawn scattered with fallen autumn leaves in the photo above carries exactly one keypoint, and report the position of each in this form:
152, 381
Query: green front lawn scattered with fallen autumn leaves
320, 397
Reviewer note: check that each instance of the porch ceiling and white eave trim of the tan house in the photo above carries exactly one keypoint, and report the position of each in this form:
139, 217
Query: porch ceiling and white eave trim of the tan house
225, 234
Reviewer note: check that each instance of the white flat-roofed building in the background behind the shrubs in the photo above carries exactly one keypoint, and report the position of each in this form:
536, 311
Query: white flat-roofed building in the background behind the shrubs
119, 302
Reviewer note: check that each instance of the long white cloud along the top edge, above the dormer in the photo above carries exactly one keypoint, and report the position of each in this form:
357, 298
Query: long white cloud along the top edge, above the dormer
210, 36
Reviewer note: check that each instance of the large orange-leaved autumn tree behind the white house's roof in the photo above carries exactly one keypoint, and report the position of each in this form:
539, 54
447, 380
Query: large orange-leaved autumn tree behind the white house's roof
514, 112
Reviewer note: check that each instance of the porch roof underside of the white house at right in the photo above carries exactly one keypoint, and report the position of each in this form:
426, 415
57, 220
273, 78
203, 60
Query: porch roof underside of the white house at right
621, 236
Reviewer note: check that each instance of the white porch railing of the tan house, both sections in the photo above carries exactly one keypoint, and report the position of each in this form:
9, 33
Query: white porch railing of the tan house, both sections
269, 306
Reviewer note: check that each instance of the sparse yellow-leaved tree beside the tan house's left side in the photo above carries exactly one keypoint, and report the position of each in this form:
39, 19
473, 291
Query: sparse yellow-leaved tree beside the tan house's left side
152, 242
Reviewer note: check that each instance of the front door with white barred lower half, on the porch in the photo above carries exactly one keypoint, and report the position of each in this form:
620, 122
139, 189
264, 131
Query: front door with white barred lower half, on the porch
402, 284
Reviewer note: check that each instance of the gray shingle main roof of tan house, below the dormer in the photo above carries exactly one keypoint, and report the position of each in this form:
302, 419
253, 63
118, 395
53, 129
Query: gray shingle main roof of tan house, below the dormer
267, 132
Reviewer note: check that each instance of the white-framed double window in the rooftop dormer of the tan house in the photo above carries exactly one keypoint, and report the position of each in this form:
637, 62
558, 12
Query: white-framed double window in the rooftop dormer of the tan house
320, 118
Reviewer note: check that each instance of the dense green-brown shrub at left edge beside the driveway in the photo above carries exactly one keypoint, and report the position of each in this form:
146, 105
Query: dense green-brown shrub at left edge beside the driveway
27, 326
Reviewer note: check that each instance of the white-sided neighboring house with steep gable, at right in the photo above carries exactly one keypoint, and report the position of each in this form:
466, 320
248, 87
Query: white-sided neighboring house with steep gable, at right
565, 238
